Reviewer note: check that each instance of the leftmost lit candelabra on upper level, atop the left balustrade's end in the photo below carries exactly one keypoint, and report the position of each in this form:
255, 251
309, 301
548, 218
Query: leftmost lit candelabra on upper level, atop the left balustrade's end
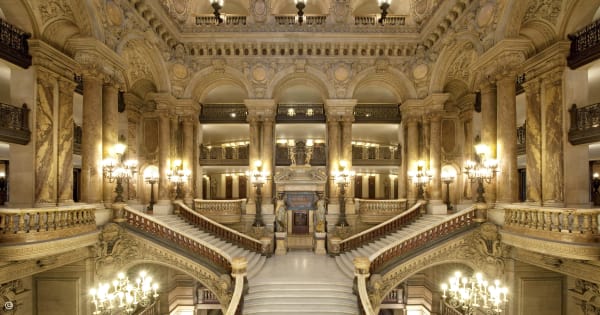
117, 170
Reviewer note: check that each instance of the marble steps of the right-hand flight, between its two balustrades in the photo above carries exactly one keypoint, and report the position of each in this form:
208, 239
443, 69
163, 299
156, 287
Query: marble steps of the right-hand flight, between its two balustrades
344, 260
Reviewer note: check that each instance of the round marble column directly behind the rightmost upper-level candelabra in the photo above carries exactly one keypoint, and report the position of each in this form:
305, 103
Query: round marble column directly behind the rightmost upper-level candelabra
489, 130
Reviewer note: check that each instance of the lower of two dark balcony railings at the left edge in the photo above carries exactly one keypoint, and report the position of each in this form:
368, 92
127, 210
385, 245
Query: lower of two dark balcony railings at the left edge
14, 124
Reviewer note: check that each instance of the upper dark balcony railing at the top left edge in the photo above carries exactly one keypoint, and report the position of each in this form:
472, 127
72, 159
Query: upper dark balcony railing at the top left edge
13, 45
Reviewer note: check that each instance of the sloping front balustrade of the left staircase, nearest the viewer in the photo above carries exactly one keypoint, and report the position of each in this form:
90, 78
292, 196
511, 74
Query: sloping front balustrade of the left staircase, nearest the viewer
149, 224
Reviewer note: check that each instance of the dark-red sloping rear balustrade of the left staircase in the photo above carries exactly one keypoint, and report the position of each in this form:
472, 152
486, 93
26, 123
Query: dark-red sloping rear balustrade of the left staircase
219, 230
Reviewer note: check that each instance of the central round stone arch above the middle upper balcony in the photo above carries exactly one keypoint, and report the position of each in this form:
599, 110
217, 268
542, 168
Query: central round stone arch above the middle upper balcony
289, 77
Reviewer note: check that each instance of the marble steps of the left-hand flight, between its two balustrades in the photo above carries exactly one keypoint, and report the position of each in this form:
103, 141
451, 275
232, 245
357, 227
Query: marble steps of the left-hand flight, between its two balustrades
255, 260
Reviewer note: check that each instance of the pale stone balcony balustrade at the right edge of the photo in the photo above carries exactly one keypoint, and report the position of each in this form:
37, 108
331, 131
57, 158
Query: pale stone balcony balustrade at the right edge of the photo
566, 224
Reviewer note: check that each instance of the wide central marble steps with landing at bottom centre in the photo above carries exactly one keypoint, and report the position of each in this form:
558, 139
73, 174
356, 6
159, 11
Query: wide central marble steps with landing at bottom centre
300, 283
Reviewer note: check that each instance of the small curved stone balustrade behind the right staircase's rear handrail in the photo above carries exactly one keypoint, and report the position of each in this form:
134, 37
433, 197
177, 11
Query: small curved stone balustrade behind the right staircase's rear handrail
377, 211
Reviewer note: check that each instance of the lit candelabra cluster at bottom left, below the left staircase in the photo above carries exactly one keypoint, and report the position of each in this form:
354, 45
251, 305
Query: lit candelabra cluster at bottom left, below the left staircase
123, 296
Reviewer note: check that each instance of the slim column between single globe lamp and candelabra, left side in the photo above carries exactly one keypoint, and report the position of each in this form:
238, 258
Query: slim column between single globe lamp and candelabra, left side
164, 150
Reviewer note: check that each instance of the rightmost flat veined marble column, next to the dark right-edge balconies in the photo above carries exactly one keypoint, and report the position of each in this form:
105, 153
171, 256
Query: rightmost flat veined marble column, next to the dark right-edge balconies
552, 140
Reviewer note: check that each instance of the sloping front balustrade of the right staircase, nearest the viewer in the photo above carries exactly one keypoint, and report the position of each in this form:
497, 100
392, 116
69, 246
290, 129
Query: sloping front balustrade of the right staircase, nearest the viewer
452, 224
